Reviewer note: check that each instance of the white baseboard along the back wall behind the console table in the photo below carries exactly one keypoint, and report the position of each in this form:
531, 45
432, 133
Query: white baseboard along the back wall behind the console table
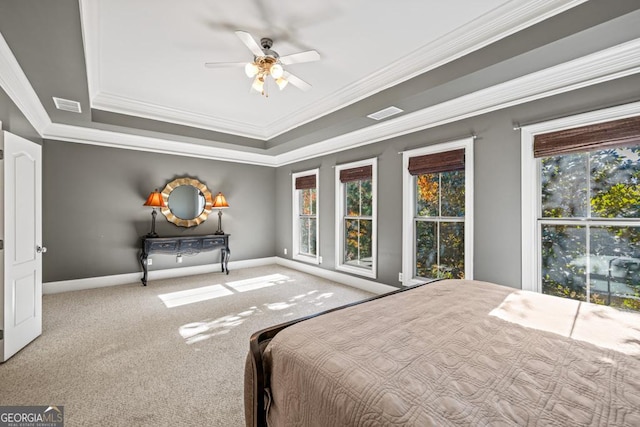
126, 279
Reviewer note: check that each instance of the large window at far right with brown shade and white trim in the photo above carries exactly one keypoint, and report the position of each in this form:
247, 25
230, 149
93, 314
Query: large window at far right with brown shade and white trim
586, 228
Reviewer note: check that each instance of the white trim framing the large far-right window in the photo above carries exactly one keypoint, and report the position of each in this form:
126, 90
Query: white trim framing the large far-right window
530, 178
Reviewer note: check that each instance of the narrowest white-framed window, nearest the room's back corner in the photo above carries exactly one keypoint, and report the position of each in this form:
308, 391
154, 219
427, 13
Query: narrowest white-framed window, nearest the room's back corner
305, 214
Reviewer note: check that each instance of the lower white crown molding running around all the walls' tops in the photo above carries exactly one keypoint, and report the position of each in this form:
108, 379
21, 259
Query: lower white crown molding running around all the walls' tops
609, 64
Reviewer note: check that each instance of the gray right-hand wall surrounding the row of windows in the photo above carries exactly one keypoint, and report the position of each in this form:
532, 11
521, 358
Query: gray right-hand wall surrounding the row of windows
497, 229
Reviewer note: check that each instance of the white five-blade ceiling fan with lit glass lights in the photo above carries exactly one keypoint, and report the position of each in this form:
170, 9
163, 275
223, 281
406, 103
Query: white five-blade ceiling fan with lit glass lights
267, 62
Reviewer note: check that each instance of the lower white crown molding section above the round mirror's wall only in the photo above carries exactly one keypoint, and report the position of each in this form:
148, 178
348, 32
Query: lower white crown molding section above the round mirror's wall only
82, 135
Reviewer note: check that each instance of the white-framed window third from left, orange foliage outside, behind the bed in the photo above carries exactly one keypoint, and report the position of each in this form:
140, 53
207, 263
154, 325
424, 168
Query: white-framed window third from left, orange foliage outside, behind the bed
438, 212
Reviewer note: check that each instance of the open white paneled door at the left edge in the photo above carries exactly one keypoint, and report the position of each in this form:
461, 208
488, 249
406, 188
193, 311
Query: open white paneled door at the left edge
22, 243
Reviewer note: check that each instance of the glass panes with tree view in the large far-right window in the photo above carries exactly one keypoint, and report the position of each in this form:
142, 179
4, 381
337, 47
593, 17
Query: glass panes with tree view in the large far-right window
590, 226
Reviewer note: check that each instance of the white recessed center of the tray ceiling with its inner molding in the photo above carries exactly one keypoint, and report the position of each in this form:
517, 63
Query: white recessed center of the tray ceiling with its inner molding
146, 57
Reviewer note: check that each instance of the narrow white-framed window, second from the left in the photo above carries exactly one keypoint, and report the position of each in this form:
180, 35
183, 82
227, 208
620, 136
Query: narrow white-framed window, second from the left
356, 213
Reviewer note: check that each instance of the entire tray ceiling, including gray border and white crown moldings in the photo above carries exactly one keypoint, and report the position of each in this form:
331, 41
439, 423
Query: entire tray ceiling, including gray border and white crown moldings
440, 61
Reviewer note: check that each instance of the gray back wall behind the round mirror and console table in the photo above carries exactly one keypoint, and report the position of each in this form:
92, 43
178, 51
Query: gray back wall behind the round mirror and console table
93, 215
